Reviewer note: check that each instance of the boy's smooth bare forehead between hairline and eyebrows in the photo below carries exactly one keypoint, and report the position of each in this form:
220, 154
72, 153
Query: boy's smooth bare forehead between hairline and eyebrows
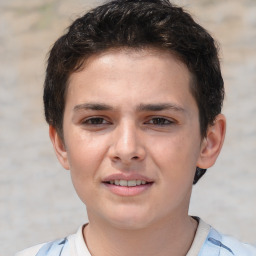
124, 73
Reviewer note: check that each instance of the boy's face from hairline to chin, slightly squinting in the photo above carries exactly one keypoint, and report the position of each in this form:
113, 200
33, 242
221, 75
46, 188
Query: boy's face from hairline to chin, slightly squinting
132, 137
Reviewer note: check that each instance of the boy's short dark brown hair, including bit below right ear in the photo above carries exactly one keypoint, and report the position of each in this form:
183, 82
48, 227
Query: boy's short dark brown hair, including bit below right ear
136, 24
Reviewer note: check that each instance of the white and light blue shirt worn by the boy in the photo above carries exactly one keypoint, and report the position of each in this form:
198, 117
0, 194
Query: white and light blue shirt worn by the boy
207, 242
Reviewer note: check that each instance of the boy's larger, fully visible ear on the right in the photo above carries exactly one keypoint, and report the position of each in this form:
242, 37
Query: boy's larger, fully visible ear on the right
212, 143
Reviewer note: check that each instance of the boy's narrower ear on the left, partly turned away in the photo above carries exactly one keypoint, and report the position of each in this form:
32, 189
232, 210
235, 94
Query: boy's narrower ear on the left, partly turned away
59, 147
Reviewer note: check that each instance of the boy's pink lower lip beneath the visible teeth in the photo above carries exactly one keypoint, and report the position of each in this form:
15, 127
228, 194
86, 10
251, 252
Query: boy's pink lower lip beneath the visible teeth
128, 191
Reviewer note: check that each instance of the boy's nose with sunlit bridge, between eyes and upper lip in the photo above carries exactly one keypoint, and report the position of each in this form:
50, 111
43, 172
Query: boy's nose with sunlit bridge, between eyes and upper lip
127, 146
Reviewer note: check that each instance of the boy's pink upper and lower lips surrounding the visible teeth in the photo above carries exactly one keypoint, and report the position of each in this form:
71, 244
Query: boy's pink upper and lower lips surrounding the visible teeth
127, 191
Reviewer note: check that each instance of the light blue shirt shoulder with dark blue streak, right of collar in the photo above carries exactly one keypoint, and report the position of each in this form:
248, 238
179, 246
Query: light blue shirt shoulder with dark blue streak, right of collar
222, 245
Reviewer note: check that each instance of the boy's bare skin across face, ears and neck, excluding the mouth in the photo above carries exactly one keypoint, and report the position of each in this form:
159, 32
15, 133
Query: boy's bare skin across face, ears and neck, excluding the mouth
131, 113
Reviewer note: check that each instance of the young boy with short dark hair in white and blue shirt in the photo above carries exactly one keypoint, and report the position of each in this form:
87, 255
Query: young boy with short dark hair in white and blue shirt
133, 96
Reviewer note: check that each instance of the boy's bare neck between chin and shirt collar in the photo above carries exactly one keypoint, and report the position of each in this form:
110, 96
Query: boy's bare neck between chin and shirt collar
170, 237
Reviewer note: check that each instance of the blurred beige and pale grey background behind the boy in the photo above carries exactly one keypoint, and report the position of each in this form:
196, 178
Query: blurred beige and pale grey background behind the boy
37, 199
